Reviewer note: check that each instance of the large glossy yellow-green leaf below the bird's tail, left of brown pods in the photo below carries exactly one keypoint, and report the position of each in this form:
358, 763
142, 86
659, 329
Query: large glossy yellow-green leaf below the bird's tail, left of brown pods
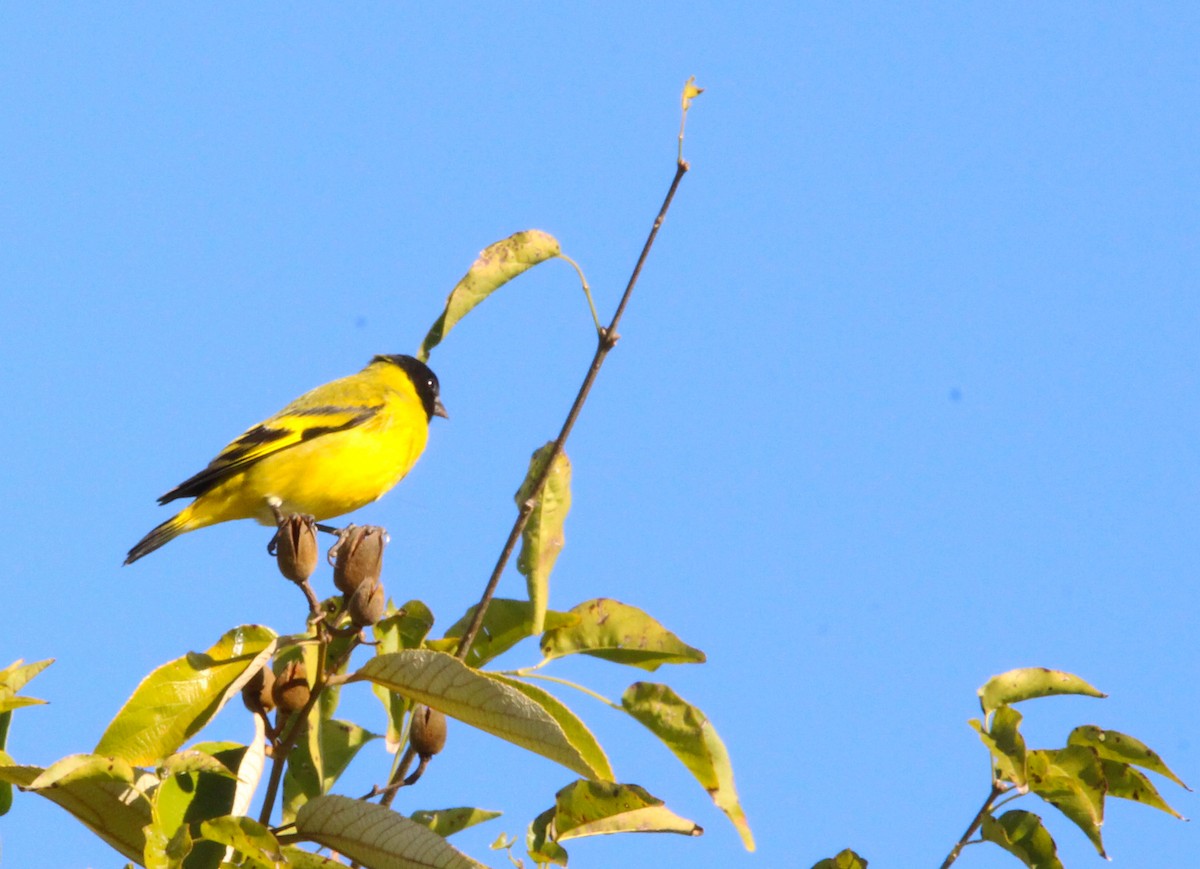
178, 699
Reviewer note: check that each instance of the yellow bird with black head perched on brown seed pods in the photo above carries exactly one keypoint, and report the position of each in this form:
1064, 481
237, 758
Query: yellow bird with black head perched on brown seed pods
331, 452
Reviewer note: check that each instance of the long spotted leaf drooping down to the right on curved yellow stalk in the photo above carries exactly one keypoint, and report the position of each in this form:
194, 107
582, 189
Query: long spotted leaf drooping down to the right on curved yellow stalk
692, 738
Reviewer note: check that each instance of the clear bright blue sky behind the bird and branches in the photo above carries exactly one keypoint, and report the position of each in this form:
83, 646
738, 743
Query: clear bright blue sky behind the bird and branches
905, 398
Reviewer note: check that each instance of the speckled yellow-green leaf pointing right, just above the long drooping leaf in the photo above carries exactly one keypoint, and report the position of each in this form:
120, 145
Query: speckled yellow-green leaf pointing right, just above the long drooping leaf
619, 633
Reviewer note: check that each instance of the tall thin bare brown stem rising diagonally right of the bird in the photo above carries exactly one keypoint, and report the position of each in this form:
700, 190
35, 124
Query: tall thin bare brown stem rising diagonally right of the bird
608, 341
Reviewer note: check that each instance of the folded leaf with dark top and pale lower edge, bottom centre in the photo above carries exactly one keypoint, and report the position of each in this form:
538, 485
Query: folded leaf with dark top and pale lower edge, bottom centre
595, 808
